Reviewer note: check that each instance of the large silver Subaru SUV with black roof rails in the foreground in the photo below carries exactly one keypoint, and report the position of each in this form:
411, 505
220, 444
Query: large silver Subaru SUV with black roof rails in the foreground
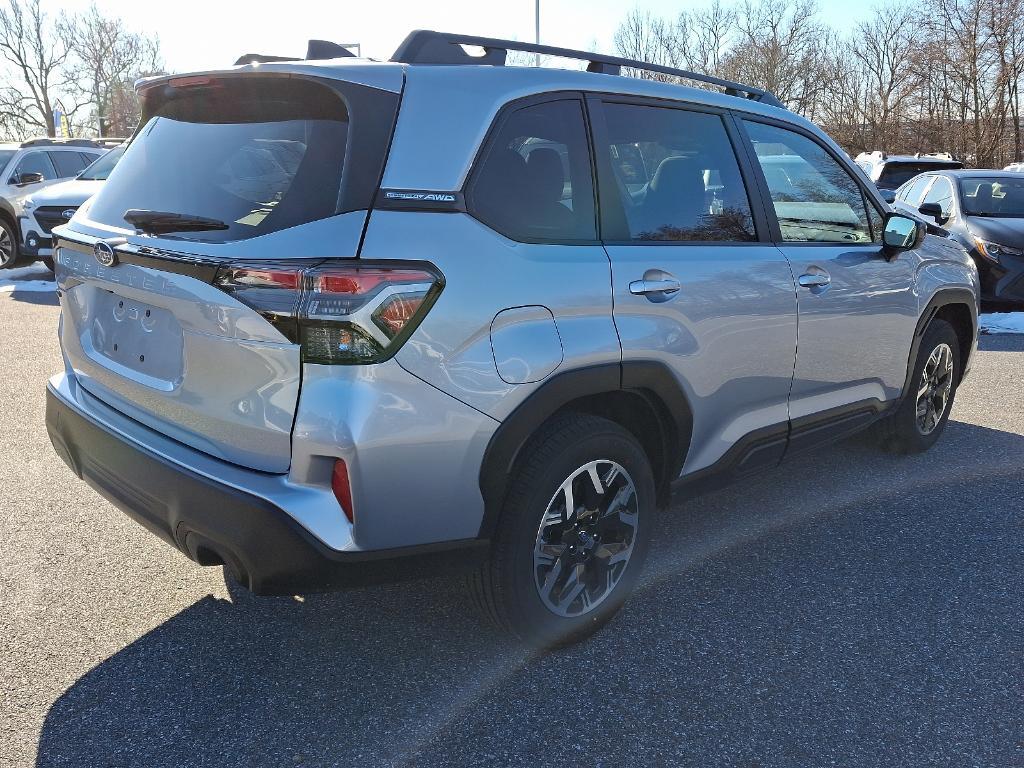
333, 322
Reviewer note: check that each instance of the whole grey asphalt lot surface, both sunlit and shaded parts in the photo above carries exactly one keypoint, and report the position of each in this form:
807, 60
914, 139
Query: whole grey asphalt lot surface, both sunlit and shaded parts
849, 609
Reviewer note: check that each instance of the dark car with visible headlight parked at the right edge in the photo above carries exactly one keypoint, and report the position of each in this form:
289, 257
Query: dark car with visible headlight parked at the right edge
985, 212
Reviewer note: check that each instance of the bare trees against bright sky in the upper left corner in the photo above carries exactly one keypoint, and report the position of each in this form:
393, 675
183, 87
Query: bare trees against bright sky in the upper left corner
83, 65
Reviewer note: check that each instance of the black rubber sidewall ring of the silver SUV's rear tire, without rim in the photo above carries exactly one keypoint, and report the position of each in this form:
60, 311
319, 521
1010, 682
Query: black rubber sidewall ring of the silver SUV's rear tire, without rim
539, 625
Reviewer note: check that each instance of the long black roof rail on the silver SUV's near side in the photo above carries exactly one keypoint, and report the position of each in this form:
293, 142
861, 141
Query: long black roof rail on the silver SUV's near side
425, 47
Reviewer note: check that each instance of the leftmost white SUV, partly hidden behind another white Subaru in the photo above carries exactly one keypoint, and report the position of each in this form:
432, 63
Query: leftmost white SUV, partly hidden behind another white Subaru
28, 167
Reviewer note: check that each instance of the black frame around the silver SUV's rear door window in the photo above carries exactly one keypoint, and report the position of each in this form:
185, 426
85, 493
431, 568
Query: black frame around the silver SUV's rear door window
612, 216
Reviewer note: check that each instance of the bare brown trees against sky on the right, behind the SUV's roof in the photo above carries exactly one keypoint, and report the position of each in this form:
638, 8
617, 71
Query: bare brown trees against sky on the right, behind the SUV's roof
936, 76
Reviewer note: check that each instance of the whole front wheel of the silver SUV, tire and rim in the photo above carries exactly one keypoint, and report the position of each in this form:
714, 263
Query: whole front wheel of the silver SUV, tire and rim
919, 421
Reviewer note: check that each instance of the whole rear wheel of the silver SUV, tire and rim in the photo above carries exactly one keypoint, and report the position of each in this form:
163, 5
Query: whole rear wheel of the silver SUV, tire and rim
540, 560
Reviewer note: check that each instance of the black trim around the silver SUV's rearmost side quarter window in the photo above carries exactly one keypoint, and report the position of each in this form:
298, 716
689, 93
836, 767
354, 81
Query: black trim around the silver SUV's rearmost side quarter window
483, 151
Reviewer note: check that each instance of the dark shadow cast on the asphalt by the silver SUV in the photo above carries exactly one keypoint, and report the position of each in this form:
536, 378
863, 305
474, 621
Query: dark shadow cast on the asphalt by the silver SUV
850, 608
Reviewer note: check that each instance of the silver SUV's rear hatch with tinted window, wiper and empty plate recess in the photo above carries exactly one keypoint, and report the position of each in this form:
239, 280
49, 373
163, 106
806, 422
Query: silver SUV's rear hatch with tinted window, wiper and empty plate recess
159, 316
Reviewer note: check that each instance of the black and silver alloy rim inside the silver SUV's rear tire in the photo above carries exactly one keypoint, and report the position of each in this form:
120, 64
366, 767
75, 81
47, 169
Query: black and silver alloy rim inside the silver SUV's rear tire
586, 539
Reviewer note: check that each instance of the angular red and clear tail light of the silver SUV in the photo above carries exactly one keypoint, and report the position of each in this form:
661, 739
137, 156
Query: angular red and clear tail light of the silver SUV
340, 314
